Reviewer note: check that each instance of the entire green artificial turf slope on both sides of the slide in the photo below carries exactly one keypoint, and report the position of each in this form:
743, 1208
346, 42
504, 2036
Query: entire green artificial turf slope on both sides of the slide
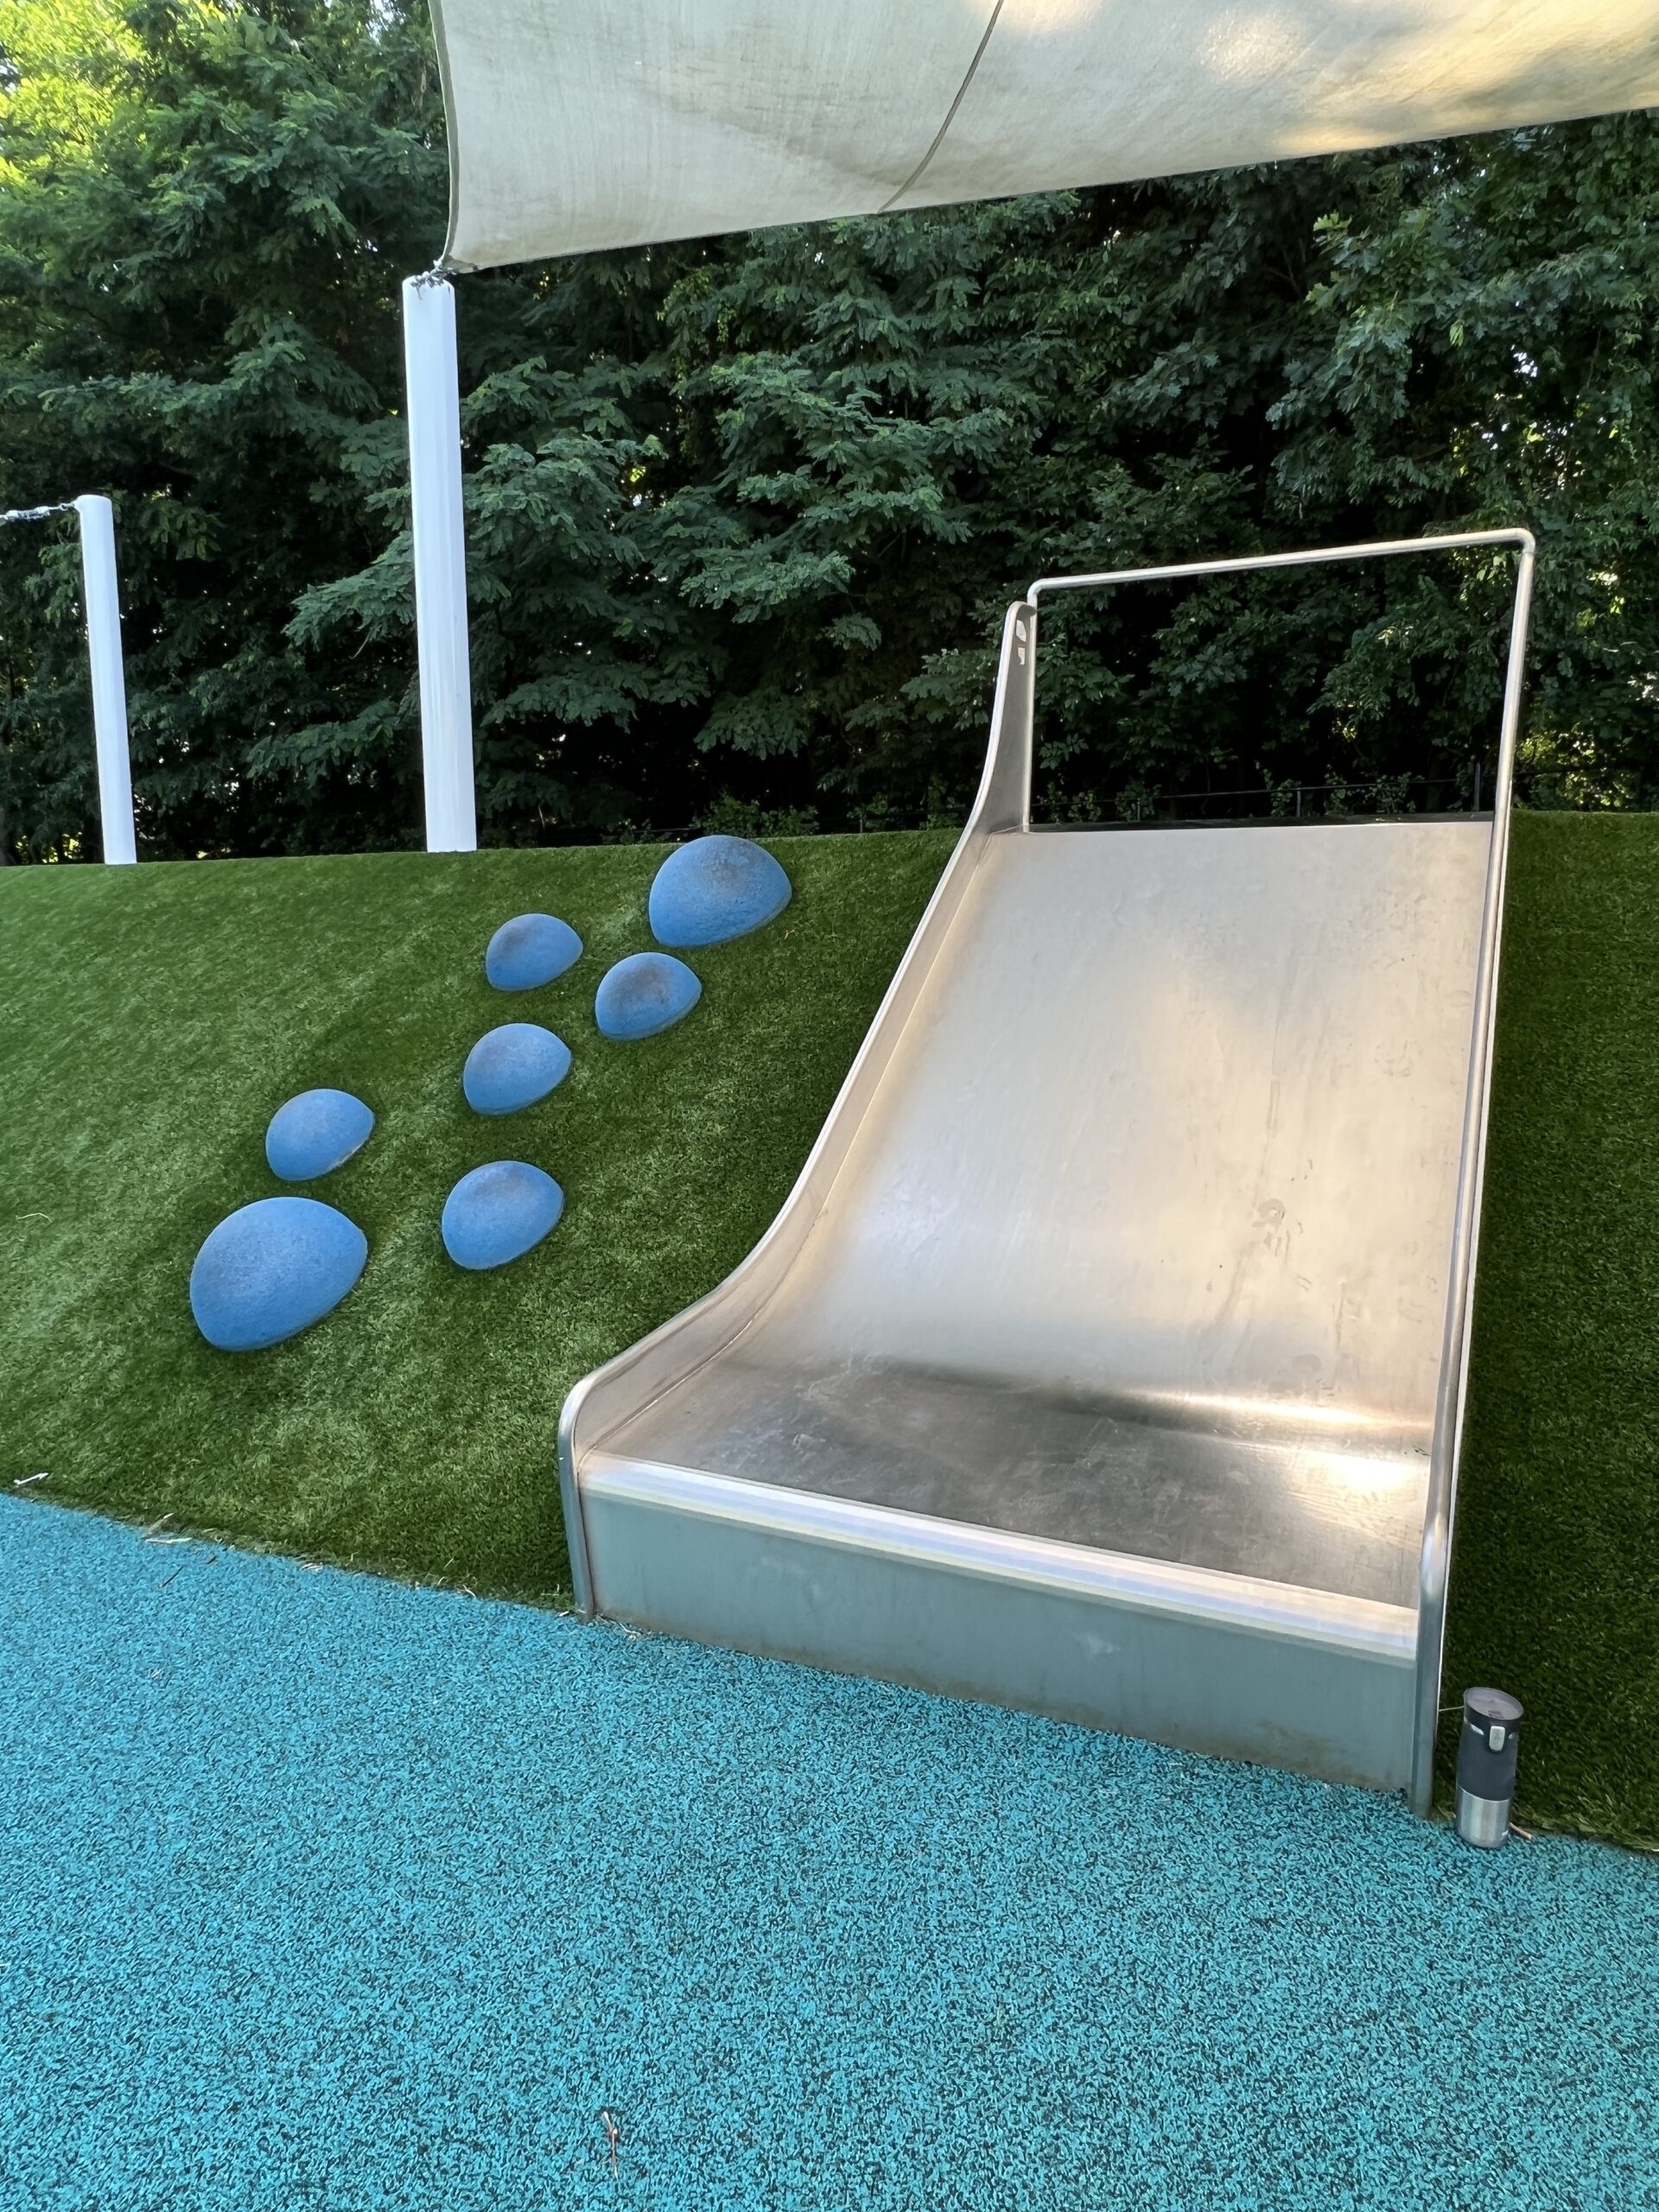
154, 1019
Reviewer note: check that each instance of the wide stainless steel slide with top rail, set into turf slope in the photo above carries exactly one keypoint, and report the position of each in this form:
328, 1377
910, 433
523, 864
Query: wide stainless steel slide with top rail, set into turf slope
1109, 1355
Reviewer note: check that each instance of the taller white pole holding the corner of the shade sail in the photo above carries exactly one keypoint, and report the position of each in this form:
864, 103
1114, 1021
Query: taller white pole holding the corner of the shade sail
441, 563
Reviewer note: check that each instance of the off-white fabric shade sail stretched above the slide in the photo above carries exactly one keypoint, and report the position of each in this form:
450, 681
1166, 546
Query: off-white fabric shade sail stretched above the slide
612, 123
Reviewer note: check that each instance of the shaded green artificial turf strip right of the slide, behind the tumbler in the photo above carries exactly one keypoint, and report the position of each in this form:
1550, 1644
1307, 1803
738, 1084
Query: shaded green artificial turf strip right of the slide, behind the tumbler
1556, 1554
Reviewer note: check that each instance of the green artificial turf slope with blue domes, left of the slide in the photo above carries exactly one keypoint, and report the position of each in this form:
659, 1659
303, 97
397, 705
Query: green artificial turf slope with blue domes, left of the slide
154, 1019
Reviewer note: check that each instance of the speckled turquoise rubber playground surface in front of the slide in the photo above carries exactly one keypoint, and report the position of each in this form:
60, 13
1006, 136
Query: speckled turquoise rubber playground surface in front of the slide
324, 1892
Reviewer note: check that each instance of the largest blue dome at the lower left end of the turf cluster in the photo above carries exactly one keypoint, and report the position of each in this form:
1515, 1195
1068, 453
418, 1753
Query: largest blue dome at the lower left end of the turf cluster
271, 1271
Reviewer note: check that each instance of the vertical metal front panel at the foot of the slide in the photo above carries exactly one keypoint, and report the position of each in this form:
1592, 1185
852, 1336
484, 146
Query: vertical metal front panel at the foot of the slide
1207, 1662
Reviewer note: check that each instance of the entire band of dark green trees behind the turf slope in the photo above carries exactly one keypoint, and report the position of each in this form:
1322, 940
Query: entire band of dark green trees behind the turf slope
744, 512
